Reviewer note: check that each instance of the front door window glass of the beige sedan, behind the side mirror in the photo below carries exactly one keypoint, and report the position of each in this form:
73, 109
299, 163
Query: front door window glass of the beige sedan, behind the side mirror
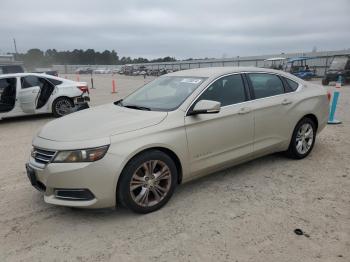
227, 90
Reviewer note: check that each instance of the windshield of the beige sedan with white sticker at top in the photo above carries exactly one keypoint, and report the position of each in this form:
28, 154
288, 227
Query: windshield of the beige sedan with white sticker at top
165, 93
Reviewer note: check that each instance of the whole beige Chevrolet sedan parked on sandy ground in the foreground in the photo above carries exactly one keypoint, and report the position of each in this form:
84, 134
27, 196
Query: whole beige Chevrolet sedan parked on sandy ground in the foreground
181, 126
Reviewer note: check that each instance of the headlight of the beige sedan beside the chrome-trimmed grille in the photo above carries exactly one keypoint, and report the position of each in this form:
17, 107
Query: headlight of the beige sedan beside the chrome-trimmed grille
83, 155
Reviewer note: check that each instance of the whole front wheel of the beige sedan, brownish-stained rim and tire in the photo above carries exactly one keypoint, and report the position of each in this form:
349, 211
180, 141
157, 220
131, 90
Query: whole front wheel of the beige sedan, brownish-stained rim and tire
147, 182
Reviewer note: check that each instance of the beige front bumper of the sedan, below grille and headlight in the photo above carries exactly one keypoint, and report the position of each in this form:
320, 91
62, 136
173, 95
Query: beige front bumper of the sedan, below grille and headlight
56, 180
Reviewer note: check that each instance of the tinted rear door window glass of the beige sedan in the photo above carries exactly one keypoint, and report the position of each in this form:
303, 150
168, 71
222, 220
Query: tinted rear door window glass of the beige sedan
265, 85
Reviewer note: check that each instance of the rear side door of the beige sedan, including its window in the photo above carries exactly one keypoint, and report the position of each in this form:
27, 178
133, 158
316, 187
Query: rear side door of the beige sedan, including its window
273, 104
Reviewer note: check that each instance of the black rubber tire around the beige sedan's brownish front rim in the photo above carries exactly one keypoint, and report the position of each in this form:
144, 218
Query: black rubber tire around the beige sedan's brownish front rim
126, 196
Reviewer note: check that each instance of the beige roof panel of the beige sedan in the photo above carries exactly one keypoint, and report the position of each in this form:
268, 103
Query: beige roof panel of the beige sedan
212, 72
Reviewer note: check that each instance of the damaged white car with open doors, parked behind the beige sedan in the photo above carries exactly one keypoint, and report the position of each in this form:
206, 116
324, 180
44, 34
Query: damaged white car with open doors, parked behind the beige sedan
29, 93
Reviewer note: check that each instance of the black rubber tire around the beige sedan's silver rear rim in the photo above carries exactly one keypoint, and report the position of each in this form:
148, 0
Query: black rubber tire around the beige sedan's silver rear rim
293, 151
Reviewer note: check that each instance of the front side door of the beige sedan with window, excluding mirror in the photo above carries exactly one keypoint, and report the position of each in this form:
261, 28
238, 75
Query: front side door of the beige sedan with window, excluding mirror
215, 140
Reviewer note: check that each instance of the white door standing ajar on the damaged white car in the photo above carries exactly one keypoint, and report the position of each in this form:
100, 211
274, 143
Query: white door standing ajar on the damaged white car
29, 92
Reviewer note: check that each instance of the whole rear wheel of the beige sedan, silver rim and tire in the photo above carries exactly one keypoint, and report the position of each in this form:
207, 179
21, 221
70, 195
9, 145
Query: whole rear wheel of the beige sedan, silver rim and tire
303, 139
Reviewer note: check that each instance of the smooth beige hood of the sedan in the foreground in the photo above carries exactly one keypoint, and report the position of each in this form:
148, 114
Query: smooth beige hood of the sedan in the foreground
99, 122
